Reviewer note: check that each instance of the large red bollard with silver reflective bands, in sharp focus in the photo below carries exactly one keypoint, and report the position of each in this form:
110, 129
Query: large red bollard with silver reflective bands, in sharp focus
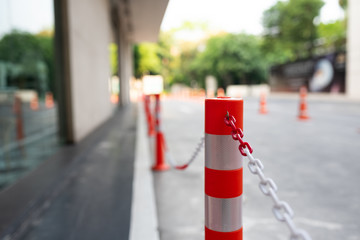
223, 171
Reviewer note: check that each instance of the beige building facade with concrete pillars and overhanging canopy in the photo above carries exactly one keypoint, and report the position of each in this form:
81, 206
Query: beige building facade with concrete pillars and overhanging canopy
84, 30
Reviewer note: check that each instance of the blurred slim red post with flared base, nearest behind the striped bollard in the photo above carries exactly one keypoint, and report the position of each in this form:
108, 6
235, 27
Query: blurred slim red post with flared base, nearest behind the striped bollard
160, 164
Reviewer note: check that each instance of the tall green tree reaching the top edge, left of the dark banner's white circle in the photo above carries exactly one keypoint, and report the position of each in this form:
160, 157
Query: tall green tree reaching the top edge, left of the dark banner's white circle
290, 26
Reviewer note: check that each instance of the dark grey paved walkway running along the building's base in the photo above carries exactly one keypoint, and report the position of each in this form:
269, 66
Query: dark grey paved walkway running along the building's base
82, 192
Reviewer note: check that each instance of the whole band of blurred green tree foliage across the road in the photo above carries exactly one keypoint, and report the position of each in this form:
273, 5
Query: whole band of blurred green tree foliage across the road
290, 33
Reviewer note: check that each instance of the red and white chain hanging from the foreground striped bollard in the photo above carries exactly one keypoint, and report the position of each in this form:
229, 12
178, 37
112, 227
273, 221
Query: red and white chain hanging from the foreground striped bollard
281, 209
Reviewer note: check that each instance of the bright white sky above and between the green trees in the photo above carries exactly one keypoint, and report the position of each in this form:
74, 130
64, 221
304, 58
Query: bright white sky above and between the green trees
232, 15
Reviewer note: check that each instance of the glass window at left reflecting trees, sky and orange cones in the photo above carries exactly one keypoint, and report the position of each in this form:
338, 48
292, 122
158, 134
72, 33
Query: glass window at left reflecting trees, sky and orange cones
28, 107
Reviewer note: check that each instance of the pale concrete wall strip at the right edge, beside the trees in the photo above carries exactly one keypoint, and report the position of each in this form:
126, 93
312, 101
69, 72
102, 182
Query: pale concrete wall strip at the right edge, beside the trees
353, 50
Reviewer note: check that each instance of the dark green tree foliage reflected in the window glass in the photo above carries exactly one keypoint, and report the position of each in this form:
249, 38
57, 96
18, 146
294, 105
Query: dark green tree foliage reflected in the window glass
29, 59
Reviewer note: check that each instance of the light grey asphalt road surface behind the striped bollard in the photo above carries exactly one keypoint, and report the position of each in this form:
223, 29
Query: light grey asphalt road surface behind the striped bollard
314, 163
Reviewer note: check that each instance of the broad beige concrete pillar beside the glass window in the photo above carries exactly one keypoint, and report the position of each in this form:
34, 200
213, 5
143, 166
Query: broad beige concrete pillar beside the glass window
89, 31
